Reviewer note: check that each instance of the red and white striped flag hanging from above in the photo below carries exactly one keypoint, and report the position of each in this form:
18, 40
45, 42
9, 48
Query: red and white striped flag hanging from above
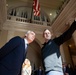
36, 7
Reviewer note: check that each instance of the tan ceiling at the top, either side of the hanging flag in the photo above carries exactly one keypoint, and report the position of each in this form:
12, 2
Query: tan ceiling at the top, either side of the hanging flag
48, 6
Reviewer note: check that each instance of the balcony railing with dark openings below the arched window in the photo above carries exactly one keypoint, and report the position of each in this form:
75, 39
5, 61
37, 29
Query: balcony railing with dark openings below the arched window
20, 19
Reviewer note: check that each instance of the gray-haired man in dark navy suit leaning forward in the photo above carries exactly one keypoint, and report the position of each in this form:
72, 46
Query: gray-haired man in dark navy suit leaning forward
13, 54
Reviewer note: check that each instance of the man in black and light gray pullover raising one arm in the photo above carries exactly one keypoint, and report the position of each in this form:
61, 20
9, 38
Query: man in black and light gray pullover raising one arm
50, 51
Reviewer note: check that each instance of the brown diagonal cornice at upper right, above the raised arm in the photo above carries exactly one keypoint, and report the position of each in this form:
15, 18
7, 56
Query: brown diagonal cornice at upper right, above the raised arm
60, 24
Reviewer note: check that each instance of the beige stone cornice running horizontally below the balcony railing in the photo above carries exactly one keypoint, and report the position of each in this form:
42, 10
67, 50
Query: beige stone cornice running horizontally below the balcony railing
20, 26
